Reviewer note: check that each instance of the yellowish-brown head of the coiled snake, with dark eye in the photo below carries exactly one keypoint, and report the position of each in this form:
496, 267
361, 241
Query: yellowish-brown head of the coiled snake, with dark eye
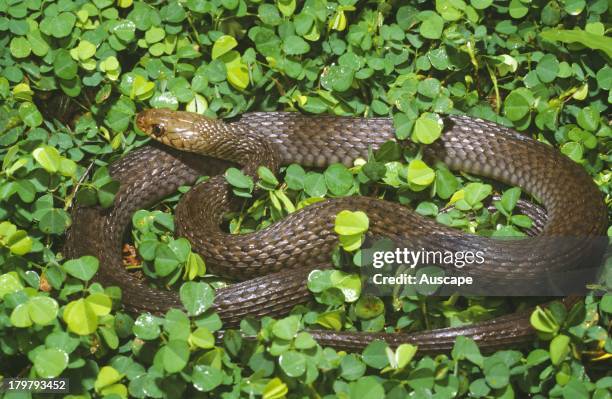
173, 128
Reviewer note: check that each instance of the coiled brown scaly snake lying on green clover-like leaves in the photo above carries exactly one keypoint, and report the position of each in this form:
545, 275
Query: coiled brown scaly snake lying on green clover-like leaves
272, 265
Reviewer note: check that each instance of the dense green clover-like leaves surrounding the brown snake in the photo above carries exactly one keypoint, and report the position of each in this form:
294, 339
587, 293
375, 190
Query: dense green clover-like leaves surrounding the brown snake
75, 73
